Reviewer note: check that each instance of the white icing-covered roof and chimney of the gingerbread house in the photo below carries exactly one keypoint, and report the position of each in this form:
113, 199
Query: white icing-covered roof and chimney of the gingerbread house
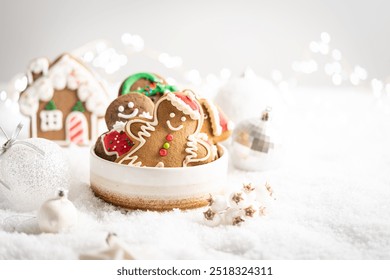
65, 72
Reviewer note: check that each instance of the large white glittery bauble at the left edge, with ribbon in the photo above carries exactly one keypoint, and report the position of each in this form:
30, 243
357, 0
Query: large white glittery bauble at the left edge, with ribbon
32, 177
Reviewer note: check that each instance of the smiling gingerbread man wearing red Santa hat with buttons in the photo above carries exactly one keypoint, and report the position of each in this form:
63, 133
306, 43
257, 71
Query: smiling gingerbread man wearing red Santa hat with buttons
172, 138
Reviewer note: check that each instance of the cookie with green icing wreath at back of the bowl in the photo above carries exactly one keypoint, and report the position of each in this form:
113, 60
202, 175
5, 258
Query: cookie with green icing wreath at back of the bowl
149, 84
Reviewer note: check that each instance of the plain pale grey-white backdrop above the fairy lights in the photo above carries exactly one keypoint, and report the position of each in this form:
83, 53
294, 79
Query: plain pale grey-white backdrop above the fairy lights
208, 35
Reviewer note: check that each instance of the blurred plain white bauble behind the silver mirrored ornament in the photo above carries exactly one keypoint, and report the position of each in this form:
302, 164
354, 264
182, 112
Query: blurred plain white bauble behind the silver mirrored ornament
244, 97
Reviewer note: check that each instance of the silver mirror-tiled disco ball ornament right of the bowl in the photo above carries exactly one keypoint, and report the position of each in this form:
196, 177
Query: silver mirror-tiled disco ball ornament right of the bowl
256, 144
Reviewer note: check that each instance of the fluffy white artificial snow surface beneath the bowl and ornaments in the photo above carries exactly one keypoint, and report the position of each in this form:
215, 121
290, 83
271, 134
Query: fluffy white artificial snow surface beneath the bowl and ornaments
332, 189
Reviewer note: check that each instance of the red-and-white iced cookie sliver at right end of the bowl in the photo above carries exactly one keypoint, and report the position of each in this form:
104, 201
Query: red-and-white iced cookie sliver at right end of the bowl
215, 125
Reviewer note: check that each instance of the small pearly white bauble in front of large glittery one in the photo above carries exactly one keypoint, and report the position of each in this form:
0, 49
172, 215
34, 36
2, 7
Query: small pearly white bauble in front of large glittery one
57, 214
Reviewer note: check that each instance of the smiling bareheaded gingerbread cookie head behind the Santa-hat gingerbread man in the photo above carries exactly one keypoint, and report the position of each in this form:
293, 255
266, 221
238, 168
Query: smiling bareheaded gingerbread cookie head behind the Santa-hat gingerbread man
128, 106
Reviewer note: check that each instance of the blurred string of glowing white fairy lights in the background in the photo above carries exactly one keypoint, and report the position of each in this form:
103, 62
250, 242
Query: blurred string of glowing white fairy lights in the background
319, 57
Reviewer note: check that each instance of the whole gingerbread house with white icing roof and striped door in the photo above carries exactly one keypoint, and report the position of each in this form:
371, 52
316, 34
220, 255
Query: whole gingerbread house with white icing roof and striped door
64, 101
